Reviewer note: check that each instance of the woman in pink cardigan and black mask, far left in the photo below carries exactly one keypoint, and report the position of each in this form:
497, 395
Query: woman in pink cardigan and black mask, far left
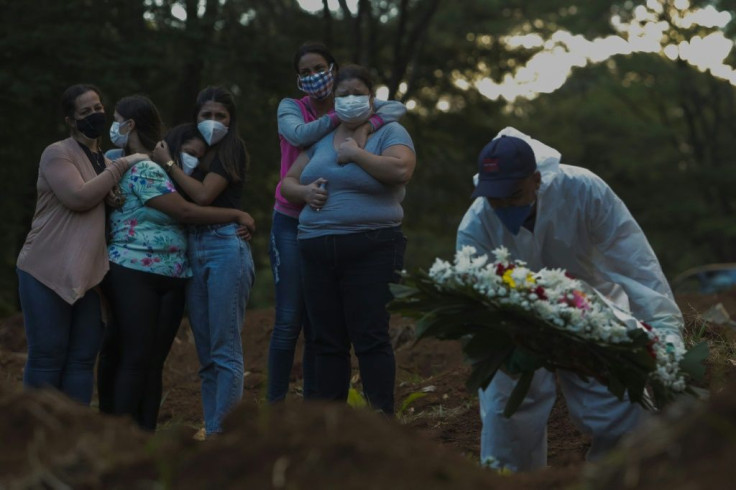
64, 256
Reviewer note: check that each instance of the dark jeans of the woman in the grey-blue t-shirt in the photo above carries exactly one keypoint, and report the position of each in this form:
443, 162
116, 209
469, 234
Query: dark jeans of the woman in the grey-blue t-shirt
346, 285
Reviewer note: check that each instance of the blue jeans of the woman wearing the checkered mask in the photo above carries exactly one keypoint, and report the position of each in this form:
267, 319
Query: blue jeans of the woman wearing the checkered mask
290, 312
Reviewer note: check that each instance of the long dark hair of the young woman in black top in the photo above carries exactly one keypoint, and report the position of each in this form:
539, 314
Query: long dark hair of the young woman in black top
231, 148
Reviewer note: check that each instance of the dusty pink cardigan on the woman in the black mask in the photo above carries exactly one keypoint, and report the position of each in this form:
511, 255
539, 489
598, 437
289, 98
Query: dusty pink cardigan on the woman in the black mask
65, 249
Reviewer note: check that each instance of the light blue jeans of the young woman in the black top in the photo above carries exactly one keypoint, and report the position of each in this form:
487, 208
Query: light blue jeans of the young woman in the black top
223, 275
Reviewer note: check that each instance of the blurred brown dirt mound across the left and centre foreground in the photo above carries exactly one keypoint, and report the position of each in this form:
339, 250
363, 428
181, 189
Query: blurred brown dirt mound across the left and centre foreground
57, 443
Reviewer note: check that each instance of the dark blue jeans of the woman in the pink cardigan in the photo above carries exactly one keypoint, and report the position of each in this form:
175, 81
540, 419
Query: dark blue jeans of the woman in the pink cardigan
63, 339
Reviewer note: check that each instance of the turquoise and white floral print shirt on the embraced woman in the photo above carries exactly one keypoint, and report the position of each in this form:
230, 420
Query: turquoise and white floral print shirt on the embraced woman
144, 238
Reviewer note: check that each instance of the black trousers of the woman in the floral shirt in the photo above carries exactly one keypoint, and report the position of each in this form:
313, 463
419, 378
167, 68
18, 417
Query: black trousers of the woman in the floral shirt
147, 310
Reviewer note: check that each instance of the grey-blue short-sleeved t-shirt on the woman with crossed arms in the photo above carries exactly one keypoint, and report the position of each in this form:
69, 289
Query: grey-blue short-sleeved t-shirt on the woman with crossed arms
356, 201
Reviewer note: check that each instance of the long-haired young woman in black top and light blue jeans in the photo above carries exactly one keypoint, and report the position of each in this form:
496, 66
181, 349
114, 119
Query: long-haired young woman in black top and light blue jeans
222, 266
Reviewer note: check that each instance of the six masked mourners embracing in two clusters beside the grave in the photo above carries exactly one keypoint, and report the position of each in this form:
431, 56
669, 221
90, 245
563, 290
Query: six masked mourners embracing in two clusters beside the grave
122, 242
